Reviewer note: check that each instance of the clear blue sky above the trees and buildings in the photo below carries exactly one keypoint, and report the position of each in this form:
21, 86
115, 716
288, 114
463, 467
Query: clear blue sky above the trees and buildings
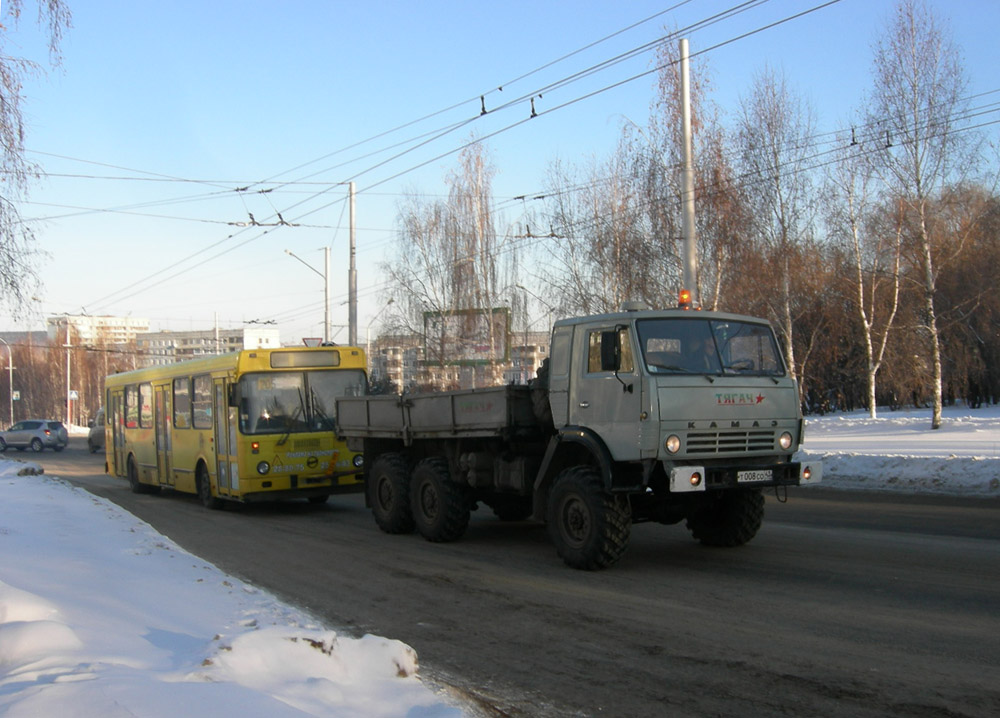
162, 110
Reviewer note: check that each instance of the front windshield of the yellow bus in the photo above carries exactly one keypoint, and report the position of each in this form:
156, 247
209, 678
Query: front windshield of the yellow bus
294, 402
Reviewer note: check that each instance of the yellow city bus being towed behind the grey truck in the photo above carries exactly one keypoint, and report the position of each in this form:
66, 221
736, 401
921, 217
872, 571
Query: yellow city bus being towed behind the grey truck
253, 425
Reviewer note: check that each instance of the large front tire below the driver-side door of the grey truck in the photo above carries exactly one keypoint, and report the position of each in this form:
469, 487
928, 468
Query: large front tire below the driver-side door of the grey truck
589, 527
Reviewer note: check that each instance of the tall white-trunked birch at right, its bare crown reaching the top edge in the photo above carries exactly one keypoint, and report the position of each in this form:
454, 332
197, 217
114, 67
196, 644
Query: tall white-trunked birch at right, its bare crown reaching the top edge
918, 92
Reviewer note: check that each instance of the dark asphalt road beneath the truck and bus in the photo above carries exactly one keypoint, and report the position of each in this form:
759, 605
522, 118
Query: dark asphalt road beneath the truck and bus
845, 604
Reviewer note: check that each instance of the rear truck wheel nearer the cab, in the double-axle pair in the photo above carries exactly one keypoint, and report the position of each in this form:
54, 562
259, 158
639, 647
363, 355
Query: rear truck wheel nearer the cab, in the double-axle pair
441, 507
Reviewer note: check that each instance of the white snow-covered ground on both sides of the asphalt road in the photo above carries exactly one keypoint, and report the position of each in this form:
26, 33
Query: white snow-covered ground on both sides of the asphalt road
101, 615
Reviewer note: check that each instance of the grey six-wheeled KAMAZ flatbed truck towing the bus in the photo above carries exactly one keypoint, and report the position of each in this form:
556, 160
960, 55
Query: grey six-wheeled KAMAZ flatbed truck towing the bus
668, 416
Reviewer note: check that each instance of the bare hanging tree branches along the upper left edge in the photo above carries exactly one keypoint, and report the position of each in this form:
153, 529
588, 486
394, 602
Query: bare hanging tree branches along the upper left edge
18, 274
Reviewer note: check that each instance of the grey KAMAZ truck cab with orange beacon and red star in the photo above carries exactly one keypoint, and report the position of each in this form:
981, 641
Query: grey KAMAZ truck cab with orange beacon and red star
682, 393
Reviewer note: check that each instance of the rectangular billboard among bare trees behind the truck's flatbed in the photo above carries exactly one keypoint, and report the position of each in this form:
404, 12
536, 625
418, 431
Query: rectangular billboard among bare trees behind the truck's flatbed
467, 337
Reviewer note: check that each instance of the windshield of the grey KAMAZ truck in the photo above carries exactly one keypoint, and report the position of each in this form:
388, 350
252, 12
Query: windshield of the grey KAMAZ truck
708, 346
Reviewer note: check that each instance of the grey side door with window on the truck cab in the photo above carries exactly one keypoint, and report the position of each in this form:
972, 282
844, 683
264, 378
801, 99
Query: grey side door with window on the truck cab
605, 387
